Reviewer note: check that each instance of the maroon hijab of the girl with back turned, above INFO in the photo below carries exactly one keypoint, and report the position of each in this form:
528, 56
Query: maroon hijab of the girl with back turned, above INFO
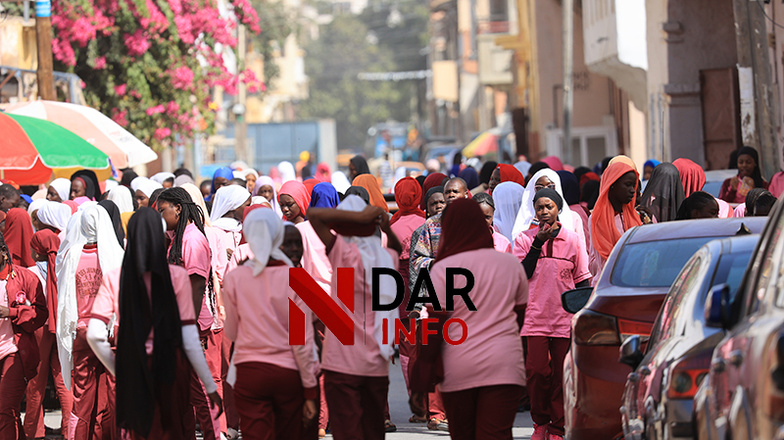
463, 229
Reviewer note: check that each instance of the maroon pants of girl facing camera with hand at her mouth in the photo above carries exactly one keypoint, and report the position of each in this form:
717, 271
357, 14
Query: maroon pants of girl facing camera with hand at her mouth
544, 373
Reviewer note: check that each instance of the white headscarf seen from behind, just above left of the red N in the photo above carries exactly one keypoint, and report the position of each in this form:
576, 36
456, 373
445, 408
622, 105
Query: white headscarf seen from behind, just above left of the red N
264, 232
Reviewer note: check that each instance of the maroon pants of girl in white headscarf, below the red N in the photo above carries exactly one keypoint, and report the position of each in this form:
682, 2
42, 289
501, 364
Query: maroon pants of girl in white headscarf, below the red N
269, 400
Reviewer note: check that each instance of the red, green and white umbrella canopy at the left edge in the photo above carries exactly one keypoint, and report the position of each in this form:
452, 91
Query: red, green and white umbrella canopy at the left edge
32, 149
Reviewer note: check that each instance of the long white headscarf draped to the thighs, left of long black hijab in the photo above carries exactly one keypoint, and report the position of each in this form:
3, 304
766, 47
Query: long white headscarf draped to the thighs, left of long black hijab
91, 225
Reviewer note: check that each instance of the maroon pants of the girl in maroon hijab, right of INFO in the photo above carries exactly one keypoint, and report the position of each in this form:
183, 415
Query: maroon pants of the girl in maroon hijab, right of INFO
482, 413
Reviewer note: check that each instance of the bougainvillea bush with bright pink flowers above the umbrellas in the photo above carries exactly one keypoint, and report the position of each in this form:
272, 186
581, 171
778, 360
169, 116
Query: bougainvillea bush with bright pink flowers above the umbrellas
151, 65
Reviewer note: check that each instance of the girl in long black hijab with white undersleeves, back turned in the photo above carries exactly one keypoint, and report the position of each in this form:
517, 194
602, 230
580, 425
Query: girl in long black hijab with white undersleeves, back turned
150, 305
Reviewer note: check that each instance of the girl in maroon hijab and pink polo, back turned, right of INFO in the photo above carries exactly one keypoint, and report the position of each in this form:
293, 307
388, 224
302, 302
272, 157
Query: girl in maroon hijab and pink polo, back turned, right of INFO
483, 377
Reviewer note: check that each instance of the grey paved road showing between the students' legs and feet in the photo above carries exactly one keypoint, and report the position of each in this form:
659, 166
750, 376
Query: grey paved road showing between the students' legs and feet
398, 406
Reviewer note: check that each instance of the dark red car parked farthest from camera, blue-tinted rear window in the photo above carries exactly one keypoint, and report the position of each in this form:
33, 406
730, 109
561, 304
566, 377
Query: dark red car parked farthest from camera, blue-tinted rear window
624, 302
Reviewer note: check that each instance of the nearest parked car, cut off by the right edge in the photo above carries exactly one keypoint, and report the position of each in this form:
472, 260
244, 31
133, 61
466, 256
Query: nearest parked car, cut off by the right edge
743, 394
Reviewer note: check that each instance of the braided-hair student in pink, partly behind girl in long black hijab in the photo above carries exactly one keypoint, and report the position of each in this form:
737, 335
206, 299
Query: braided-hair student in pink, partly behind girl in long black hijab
190, 249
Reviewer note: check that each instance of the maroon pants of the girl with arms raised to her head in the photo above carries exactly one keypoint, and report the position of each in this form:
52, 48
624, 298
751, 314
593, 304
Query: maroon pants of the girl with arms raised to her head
356, 405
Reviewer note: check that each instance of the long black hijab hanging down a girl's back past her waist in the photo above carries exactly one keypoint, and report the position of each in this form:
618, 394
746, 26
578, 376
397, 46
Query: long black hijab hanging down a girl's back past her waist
137, 381
